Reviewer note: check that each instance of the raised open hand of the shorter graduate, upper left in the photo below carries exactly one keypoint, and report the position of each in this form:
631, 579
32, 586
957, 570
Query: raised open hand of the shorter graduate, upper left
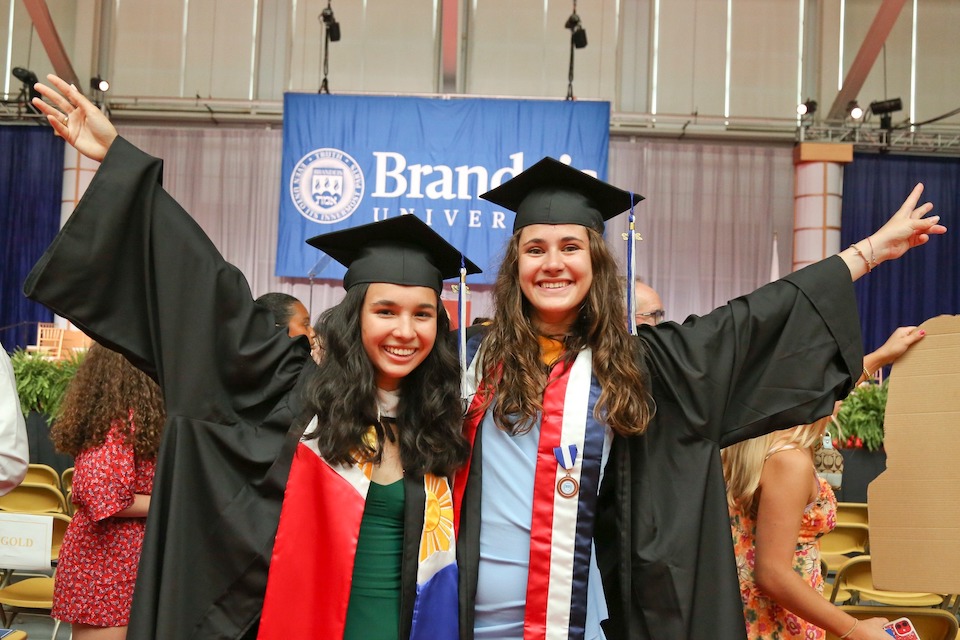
74, 118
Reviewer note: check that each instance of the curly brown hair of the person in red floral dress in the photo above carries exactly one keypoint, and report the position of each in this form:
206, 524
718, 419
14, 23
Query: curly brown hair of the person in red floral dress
105, 388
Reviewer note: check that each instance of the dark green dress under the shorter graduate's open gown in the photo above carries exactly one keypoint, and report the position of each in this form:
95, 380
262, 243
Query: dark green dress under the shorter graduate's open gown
374, 609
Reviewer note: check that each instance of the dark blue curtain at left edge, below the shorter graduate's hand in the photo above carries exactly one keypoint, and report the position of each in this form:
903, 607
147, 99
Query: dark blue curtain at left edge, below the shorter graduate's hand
31, 183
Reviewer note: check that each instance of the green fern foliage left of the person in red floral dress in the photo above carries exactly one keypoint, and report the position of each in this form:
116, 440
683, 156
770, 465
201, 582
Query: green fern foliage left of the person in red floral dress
41, 382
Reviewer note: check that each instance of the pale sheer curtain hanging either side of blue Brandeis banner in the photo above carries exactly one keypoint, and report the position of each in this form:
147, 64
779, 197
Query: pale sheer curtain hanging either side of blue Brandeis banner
708, 221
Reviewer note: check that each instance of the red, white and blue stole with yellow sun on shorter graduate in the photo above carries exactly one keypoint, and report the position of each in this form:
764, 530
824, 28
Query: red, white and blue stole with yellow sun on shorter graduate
311, 570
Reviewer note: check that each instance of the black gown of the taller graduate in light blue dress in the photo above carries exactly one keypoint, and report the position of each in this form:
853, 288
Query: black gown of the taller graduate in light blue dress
778, 357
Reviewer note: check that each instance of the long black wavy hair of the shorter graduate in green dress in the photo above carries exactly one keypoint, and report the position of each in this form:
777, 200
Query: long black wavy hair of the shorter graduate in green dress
343, 394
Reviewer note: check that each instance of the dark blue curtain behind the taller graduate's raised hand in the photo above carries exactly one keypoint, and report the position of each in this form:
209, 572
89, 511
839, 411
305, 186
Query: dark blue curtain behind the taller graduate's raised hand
925, 282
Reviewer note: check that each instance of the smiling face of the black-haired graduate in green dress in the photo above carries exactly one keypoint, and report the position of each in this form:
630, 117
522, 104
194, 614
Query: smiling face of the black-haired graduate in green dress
398, 328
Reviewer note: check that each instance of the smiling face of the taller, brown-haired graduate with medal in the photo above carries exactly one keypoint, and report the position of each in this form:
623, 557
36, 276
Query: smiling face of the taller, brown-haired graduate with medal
555, 273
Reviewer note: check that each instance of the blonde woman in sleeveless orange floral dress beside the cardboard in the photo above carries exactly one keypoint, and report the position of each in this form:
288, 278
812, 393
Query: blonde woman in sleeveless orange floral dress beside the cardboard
779, 509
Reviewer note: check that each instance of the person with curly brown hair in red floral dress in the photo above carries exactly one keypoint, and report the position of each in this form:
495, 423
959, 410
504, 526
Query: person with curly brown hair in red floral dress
111, 421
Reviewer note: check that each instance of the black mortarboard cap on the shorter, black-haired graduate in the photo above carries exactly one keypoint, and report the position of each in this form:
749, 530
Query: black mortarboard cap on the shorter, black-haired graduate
402, 250
